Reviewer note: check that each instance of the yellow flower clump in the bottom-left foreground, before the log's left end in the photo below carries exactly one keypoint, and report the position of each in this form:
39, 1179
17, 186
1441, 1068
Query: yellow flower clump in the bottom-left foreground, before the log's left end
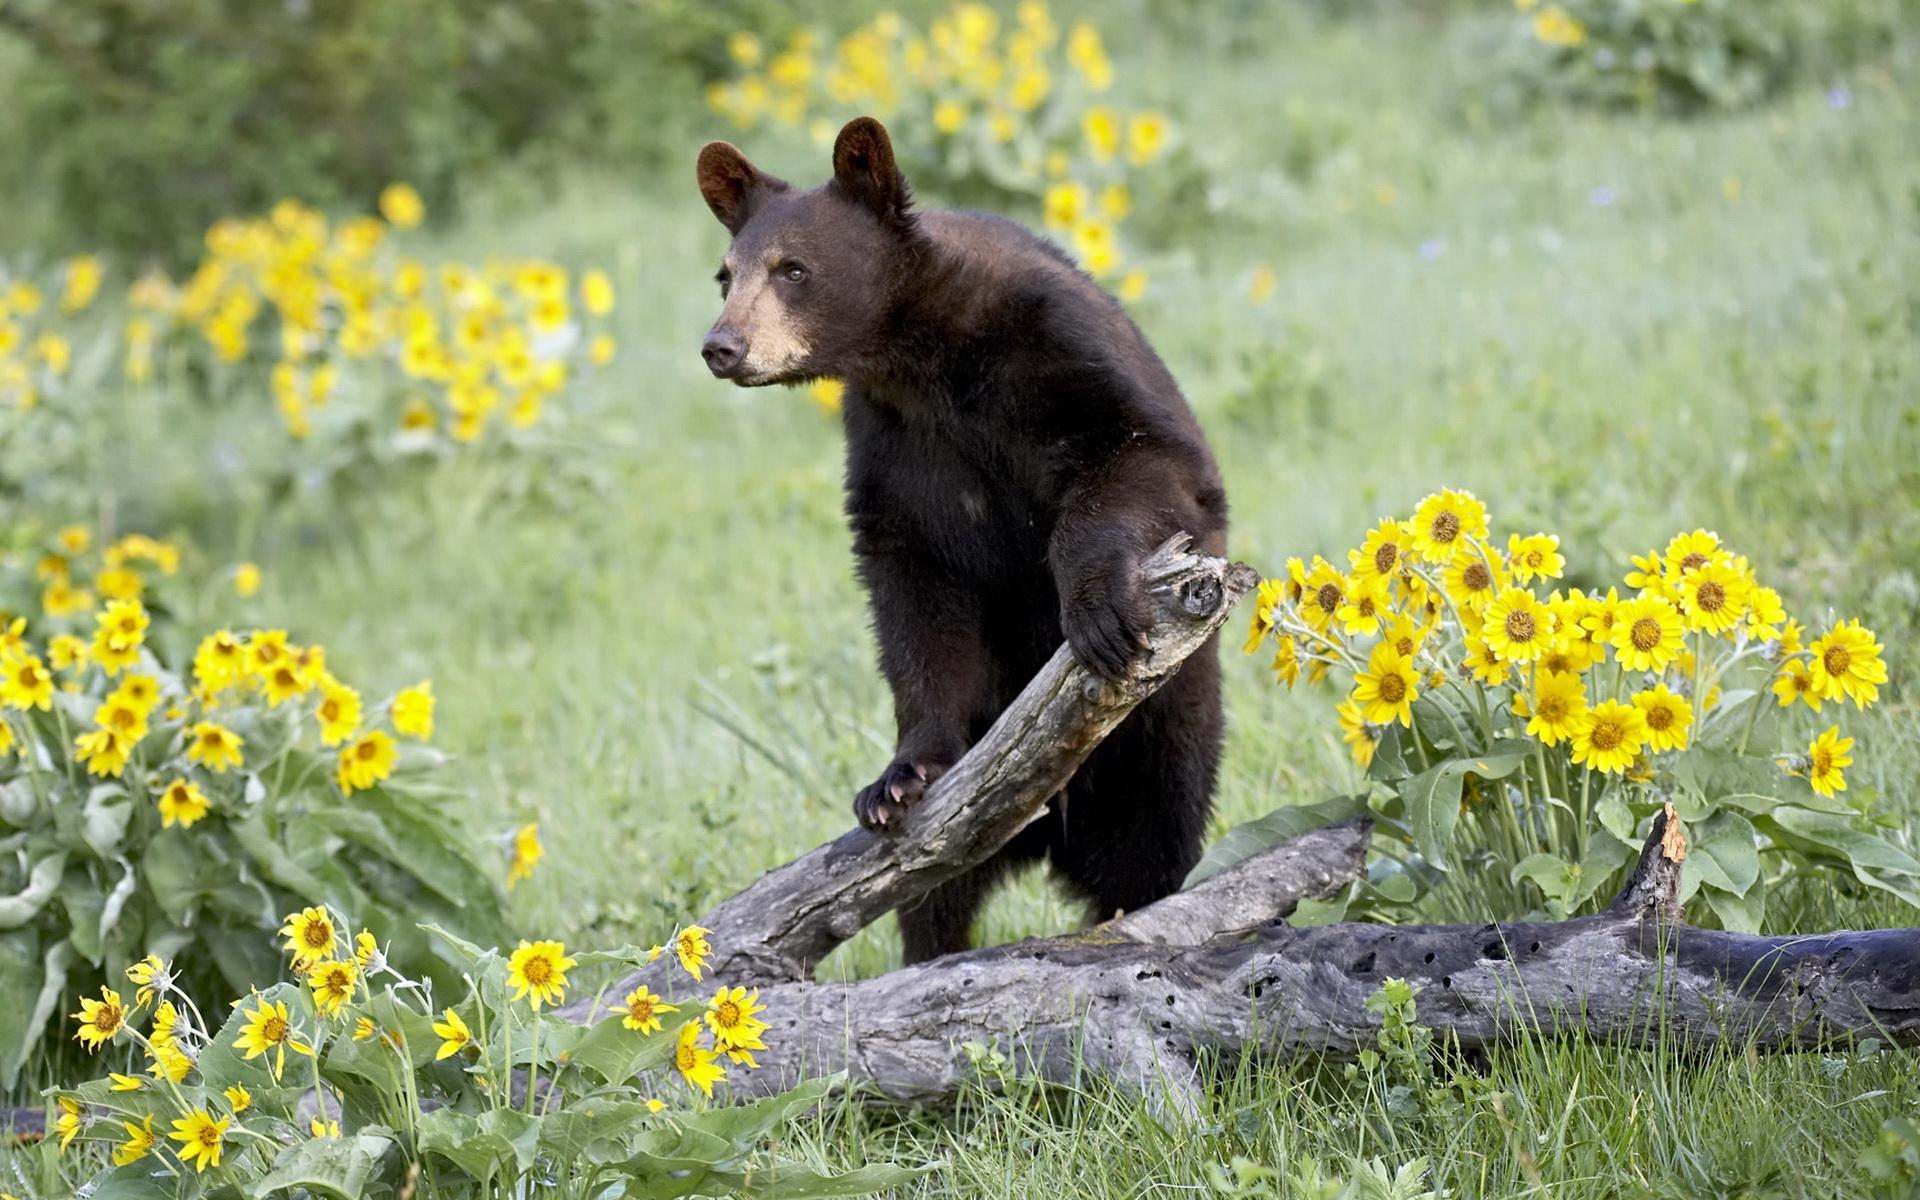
370, 1063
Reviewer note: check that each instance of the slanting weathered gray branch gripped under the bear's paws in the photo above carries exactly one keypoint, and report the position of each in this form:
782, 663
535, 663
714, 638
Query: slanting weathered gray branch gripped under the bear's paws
779, 928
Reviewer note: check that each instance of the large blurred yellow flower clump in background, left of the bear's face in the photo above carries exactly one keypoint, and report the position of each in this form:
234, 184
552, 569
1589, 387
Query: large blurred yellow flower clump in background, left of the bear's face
348, 324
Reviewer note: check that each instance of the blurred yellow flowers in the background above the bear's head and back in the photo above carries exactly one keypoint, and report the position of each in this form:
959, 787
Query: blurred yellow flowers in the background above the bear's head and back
1015, 103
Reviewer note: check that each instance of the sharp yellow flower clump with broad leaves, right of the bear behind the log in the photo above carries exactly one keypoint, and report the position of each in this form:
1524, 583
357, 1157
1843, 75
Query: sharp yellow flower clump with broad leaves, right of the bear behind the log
1510, 721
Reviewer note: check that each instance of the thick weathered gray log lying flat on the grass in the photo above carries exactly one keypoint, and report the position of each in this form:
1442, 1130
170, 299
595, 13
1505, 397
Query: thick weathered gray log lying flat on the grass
1145, 1013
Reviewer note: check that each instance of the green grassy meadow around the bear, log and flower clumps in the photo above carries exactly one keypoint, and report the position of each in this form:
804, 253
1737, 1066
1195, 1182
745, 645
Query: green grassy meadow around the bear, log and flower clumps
1608, 327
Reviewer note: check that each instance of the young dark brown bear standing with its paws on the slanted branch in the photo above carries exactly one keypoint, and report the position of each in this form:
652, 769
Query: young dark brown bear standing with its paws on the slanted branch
1015, 446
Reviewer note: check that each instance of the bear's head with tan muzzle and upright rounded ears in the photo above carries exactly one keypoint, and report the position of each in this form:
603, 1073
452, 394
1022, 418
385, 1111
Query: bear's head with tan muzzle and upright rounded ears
809, 279
